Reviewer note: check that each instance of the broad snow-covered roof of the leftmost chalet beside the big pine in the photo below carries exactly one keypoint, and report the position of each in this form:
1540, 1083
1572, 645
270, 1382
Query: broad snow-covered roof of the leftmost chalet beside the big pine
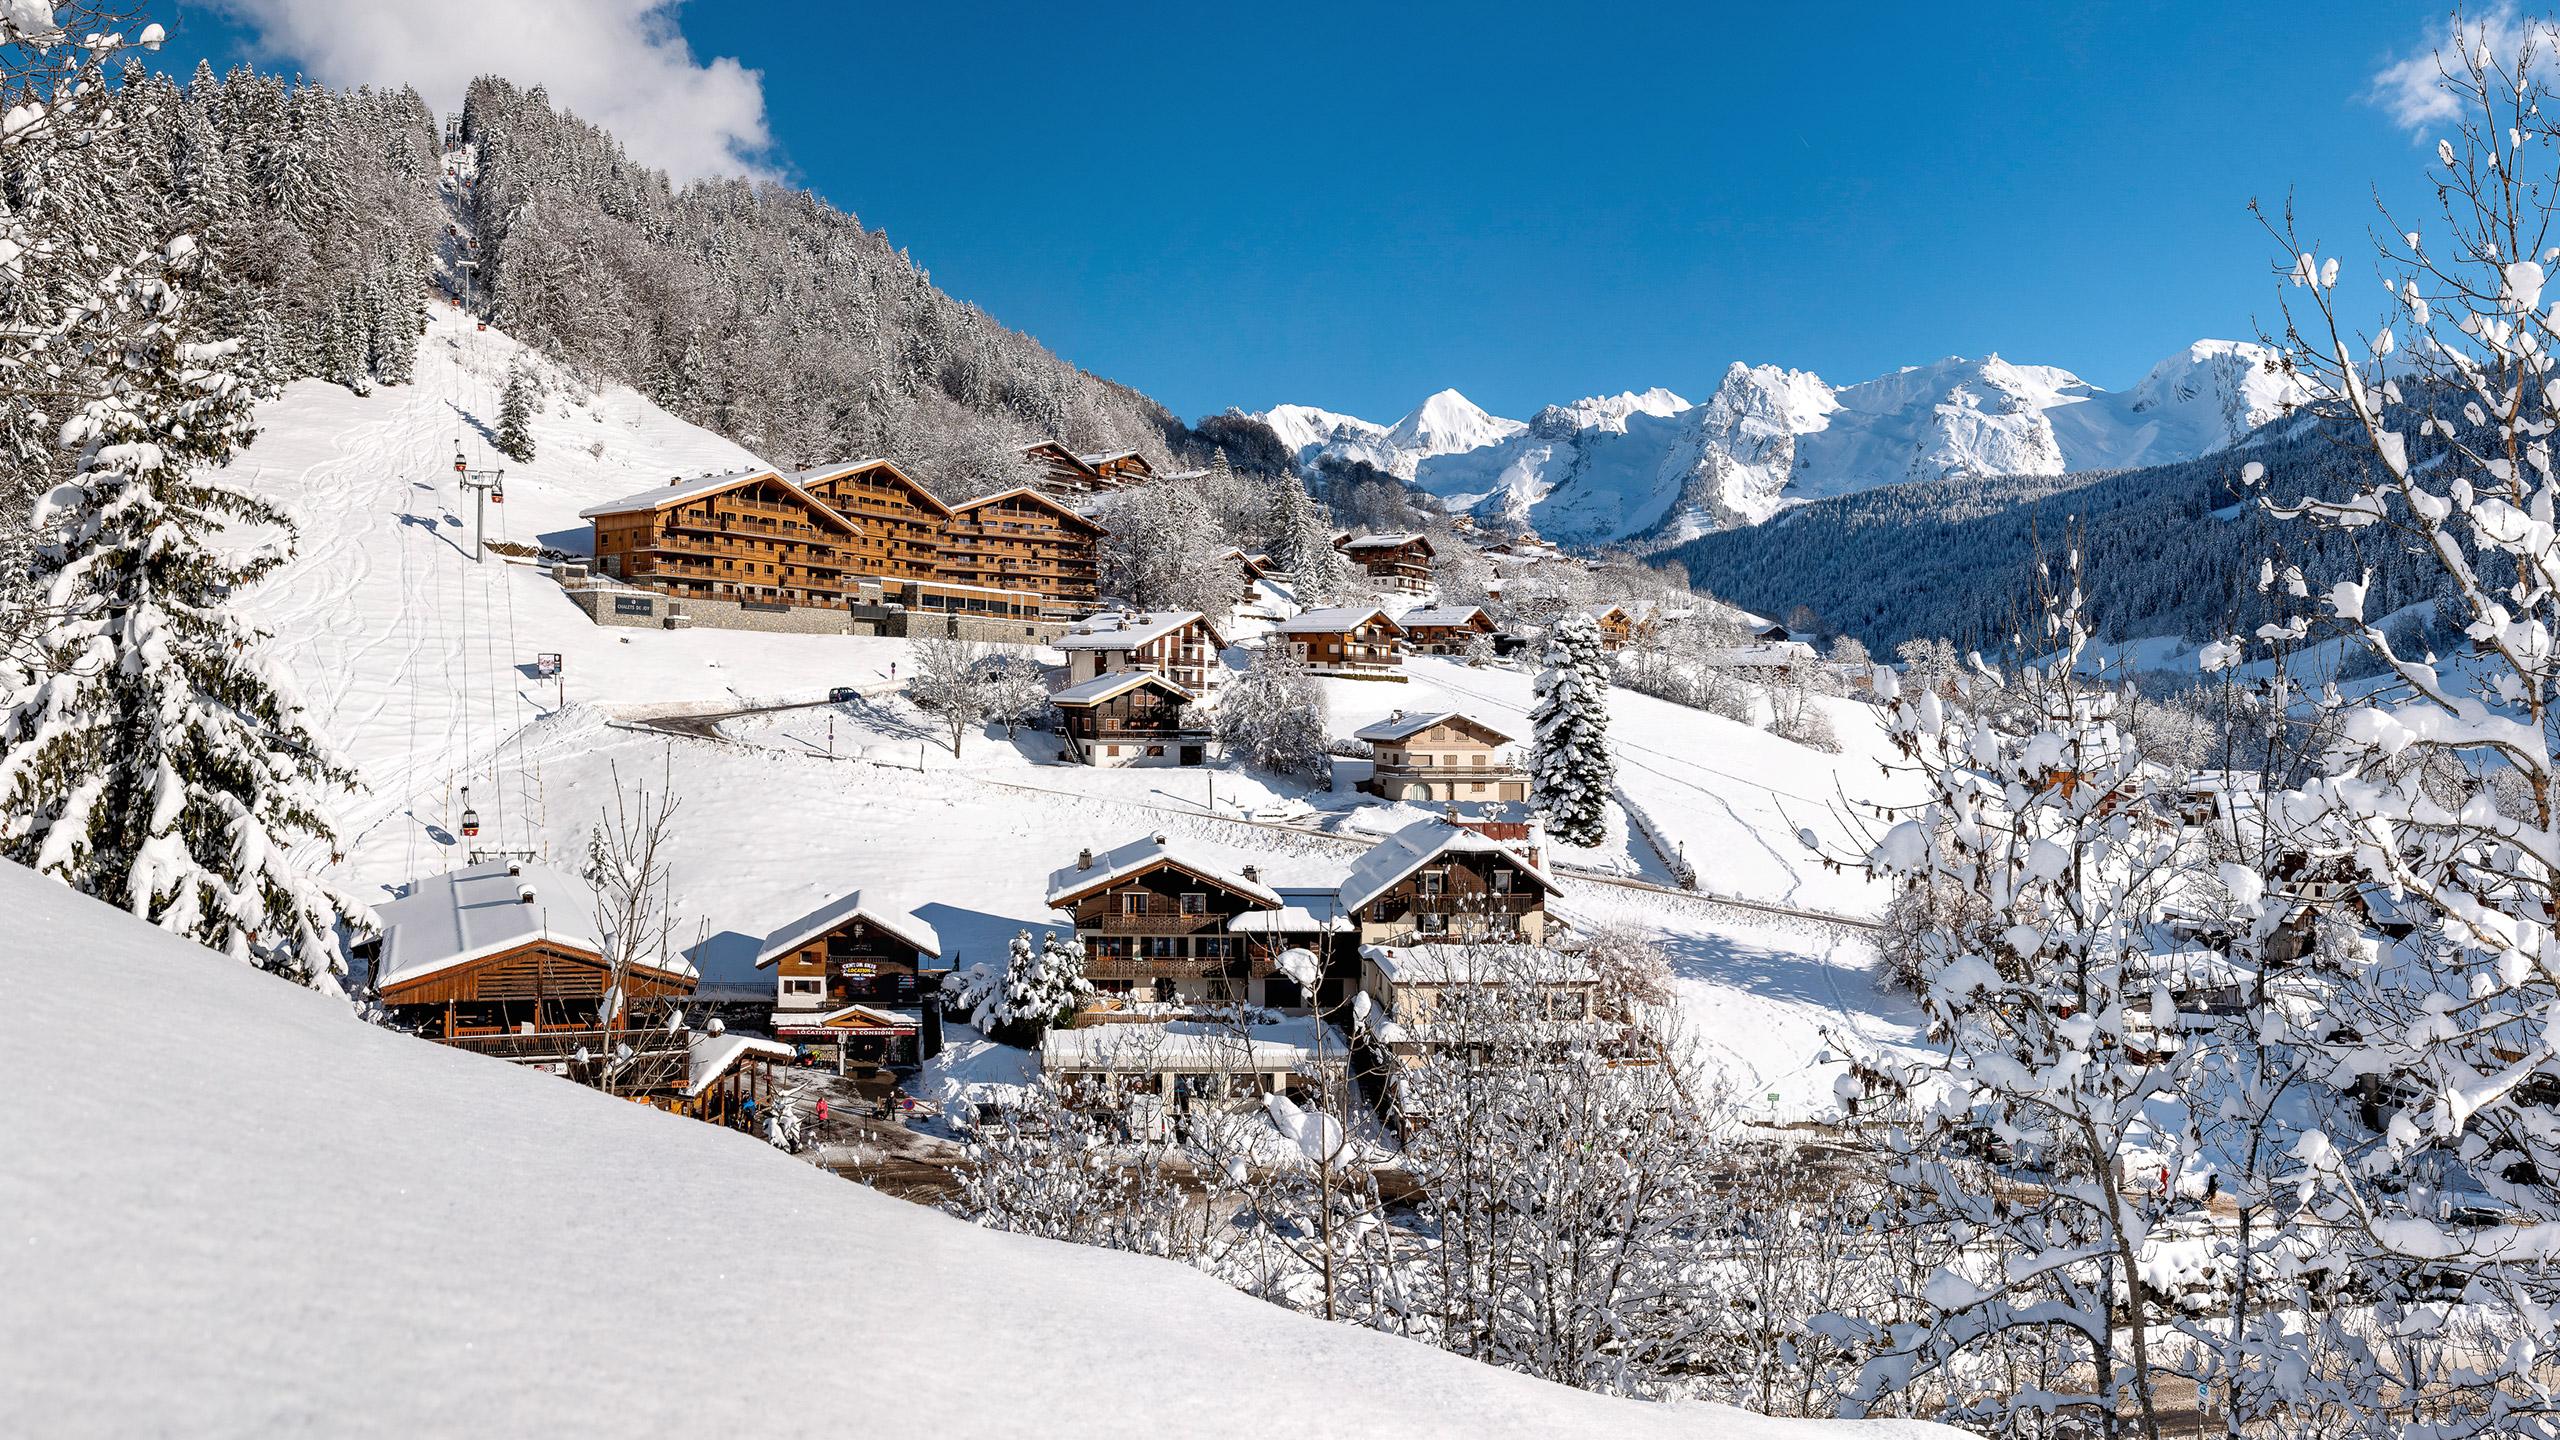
480, 911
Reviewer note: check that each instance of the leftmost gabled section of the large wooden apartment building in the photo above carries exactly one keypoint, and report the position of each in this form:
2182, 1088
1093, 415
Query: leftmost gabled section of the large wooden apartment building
749, 537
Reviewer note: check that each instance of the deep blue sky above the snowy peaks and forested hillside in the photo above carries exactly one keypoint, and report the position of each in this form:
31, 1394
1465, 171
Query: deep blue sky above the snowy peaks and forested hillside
1356, 206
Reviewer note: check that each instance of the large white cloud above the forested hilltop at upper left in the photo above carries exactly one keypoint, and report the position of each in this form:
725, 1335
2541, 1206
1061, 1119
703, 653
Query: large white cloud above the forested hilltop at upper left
616, 63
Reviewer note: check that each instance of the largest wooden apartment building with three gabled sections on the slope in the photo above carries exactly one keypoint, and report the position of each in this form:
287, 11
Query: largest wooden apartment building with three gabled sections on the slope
859, 534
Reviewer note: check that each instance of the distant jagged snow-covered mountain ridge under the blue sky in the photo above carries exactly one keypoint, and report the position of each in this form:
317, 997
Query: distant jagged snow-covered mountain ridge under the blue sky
1655, 470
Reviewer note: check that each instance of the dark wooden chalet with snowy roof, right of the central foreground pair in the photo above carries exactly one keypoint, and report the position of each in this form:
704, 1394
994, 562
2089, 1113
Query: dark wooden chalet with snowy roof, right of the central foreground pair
1437, 883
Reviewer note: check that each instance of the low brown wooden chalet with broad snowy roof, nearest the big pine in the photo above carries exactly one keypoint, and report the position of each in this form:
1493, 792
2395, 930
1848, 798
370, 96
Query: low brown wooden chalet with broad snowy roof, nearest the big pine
503, 957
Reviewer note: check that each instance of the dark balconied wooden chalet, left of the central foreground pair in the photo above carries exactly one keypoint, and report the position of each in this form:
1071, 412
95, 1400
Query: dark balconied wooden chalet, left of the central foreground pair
1166, 924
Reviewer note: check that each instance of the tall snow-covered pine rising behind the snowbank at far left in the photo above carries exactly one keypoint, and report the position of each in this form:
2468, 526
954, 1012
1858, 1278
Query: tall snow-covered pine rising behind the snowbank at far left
155, 765
